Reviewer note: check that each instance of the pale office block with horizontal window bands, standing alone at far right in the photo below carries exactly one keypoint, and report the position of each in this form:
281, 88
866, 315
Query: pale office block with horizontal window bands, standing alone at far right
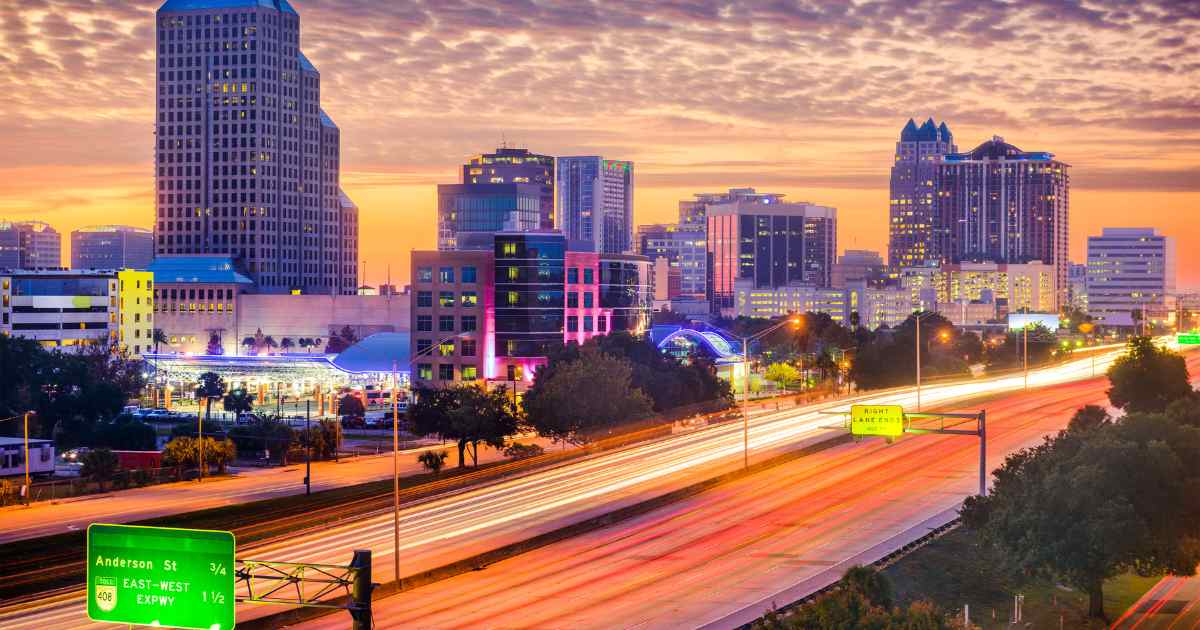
1131, 277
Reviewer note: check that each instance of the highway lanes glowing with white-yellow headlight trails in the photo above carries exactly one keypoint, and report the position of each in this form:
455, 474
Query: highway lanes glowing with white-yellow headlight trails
458, 526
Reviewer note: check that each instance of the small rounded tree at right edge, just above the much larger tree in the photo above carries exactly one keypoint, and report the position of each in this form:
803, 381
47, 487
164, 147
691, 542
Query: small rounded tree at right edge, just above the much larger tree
1148, 379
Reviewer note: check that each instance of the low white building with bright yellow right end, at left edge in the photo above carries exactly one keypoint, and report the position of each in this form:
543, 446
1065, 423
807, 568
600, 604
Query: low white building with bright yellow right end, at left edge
73, 310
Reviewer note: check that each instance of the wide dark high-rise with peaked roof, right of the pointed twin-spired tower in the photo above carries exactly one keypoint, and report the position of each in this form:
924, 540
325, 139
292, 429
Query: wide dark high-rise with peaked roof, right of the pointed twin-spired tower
1000, 205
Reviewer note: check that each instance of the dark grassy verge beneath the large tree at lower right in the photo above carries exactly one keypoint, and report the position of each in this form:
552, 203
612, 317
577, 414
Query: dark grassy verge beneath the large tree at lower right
956, 569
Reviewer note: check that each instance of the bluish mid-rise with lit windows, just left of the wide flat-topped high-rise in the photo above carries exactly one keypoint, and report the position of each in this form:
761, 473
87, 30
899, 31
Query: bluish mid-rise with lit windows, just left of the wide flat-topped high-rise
685, 248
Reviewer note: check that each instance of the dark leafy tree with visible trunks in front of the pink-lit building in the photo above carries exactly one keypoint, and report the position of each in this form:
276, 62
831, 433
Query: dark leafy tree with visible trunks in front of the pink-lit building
467, 415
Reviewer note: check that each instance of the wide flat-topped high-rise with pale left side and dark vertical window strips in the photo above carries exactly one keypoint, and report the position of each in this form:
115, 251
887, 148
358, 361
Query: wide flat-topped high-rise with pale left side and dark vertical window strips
770, 243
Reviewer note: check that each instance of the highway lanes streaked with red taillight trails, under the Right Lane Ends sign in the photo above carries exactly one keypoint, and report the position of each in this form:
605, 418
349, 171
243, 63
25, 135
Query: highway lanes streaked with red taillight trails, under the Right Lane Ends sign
735, 549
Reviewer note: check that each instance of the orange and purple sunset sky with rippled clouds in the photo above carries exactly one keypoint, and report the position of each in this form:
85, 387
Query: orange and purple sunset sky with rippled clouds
791, 97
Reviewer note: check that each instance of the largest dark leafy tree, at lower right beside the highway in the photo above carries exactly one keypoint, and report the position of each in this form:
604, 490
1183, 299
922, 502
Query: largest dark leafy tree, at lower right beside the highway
1096, 501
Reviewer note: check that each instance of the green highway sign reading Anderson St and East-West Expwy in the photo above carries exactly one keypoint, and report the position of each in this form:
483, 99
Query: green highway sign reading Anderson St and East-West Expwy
161, 577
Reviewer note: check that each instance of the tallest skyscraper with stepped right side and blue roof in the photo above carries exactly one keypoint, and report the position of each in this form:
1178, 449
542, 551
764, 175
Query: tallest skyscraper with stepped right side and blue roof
247, 161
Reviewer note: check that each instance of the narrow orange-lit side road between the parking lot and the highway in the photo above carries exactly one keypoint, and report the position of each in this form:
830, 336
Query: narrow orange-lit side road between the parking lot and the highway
245, 485
